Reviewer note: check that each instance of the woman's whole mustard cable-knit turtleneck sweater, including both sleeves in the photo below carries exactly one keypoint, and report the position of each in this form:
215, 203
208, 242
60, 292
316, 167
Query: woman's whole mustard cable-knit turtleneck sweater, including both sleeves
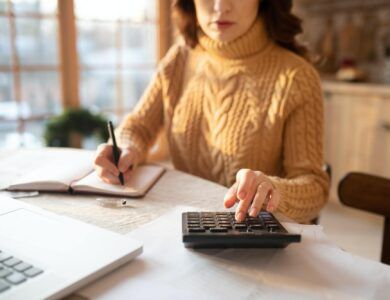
248, 103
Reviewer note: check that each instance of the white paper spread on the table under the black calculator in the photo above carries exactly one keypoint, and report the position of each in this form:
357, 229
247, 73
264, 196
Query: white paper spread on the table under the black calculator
312, 269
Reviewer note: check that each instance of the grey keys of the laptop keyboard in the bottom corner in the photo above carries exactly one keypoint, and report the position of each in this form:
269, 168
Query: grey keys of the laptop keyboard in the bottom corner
14, 271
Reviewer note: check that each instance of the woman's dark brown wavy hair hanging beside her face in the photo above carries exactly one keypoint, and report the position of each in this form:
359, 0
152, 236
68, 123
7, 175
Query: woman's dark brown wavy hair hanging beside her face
281, 24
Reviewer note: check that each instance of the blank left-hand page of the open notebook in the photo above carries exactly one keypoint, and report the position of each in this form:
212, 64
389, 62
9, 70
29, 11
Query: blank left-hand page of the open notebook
51, 167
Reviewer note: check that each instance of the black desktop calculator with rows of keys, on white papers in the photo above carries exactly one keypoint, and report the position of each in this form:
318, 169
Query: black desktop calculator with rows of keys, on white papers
220, 230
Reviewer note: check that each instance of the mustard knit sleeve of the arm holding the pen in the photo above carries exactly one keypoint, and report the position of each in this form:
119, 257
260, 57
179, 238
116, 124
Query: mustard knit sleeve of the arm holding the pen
139, 129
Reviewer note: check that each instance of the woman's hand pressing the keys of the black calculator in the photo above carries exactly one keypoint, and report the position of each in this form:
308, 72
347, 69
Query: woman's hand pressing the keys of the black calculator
252, 190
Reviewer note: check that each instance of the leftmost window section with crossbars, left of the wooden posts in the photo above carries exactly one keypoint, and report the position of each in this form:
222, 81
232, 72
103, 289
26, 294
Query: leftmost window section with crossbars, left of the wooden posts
29, 69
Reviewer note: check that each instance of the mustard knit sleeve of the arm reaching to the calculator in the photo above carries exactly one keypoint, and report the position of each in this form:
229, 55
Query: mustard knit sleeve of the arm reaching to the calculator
304, 188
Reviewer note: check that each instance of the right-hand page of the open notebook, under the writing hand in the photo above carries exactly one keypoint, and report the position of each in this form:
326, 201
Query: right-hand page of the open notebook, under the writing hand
142, 179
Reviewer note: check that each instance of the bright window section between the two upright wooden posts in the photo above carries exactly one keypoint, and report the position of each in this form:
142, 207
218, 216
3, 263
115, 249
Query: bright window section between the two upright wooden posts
117, 52
